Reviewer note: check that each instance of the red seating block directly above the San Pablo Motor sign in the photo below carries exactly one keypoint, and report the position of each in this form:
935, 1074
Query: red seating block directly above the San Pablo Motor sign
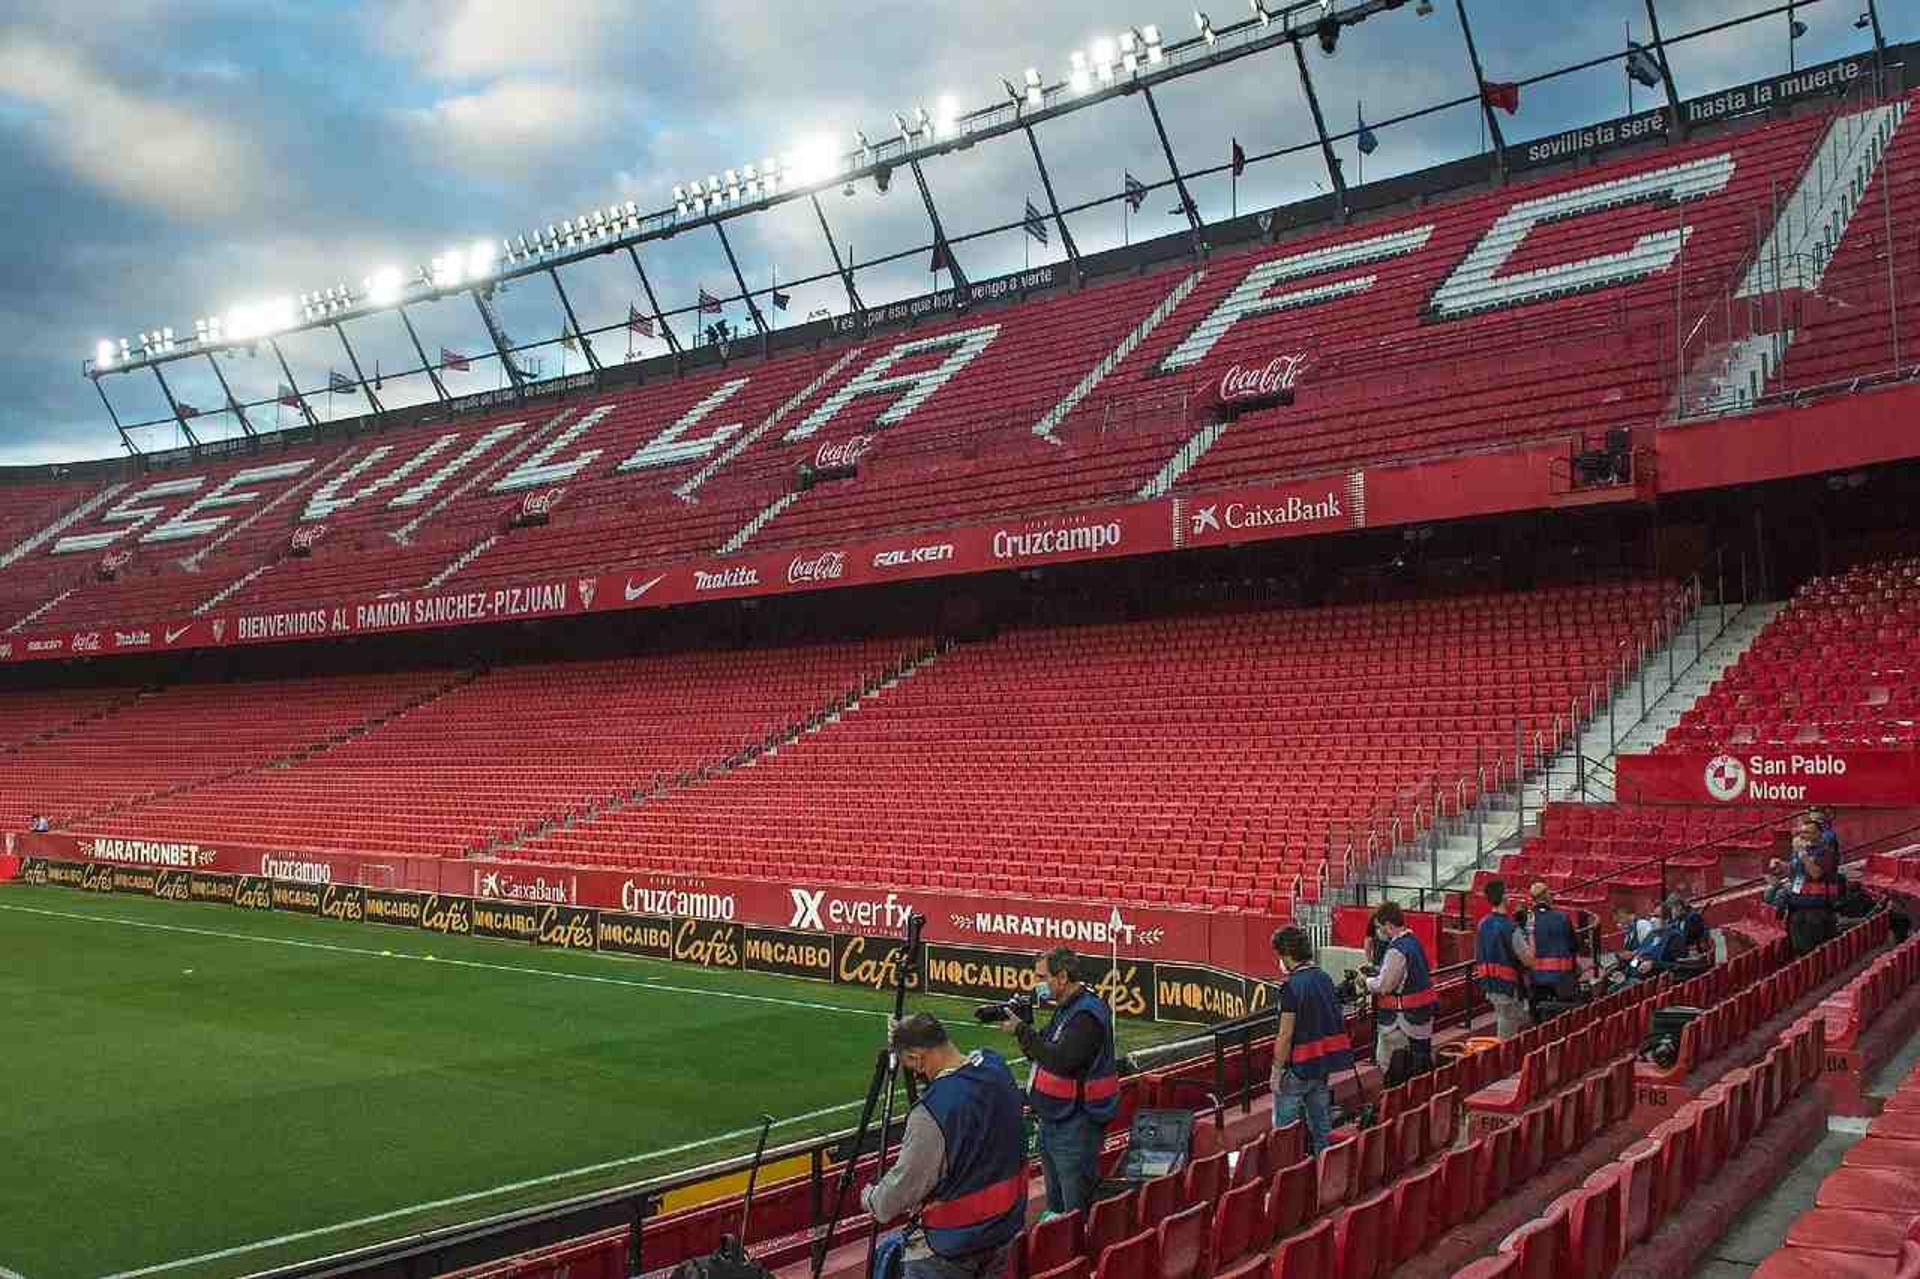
1836, 667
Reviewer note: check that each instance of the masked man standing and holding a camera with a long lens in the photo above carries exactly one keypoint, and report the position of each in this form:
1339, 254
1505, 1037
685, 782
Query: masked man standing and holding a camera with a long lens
1076, 1082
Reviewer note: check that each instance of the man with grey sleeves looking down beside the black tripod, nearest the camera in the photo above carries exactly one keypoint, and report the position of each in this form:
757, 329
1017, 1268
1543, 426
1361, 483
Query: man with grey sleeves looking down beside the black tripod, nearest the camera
961, 1176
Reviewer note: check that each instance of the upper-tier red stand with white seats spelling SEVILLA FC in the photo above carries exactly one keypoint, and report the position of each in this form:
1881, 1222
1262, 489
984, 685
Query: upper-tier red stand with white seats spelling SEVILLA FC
1057, 402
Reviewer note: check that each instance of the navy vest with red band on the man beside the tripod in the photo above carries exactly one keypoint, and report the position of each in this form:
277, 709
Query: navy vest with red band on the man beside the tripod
980, 1201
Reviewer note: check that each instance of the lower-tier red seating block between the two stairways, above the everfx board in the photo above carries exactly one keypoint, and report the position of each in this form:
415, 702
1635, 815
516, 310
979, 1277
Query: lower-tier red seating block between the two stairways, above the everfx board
1195, 761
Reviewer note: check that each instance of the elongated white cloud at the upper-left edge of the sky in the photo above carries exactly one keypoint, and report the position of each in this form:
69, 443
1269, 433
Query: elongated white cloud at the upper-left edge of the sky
137, 147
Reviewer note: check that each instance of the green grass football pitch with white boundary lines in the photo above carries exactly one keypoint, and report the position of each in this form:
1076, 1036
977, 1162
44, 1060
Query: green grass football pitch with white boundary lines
187, 1078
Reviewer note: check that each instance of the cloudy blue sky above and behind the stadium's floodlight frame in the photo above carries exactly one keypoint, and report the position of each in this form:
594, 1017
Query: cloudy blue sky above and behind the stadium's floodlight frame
174, 158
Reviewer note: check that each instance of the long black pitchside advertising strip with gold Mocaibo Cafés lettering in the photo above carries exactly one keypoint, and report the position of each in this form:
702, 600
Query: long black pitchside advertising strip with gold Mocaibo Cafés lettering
1134, 988
